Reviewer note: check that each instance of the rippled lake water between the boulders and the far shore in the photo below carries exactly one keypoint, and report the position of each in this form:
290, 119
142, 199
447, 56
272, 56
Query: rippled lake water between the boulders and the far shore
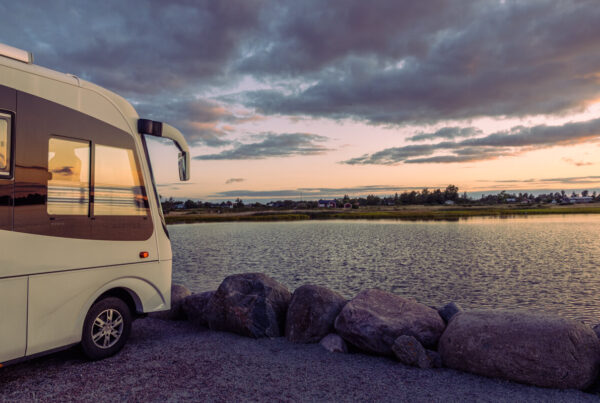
546, 263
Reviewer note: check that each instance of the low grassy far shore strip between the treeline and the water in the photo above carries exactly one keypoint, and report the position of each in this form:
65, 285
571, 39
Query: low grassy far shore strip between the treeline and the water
408, 213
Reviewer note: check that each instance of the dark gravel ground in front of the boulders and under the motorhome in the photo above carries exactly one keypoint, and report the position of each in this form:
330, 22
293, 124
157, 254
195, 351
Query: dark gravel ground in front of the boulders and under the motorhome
174, 361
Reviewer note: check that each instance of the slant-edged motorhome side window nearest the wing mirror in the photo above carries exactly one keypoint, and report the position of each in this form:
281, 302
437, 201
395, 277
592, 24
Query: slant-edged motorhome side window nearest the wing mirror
117, 186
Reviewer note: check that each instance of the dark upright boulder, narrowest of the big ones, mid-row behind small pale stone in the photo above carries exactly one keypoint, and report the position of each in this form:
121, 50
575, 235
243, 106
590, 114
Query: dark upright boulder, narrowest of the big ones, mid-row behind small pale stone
311, 313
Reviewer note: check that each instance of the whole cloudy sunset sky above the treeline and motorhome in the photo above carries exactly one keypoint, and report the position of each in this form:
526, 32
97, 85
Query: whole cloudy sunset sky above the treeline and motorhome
312, 99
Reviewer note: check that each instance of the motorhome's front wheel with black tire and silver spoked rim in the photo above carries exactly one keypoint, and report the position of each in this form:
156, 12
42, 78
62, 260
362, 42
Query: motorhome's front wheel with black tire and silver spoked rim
106, 328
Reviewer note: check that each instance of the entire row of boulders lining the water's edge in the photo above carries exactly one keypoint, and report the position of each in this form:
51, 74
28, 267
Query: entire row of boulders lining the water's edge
525, 347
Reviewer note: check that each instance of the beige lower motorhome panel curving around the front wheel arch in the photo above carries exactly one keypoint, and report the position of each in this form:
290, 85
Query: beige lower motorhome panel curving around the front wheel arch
59, 302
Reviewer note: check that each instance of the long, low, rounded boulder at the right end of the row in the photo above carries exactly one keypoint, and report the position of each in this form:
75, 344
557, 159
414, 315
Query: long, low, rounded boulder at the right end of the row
536, 349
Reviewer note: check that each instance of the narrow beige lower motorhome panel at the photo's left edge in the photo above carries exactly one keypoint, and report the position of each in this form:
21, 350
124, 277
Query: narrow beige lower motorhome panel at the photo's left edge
13, 314
